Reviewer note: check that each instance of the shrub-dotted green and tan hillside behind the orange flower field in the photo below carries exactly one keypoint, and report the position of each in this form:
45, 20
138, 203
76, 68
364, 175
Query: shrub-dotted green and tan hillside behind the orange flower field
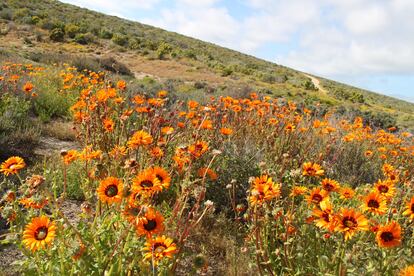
47, 31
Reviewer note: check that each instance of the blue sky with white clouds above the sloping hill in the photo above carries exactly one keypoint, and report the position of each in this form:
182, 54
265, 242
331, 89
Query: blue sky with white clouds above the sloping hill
366, 43
